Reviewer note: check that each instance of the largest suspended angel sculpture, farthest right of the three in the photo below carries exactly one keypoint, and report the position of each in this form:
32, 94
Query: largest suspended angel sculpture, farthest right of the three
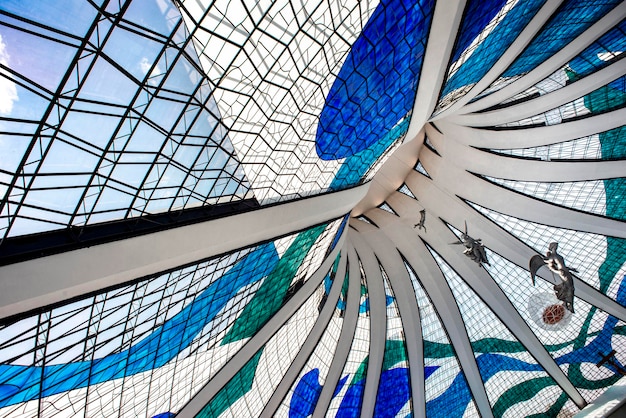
555, 262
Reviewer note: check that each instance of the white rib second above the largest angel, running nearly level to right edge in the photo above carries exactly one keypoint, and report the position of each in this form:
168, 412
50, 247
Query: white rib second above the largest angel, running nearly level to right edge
510, 168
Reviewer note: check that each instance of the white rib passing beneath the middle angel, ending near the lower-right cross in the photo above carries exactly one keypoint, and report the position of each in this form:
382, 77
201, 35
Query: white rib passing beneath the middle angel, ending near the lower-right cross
498, 301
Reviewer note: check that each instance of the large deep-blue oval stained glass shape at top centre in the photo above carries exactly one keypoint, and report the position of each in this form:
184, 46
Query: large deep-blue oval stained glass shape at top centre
375, 88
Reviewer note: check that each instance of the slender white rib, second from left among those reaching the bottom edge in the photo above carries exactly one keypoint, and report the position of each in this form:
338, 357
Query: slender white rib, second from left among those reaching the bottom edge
311, 342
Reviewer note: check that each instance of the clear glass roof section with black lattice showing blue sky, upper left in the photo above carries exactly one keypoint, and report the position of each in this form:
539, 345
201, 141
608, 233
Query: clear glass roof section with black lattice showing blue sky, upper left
135, 85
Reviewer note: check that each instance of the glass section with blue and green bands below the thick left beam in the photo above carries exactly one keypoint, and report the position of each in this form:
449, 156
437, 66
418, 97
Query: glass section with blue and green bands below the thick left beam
179, 319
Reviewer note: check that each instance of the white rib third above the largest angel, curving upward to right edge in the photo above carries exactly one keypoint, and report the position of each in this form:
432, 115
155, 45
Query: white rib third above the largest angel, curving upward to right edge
533, 136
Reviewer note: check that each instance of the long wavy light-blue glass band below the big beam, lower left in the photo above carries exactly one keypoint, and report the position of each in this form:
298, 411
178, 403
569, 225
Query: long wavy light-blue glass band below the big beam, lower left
23, 383
